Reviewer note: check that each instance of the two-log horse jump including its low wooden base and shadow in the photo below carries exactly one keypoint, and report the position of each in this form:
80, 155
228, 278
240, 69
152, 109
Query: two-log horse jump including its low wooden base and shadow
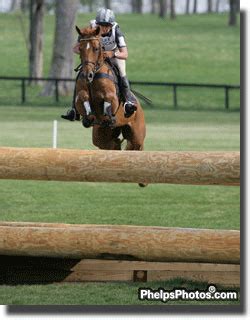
51, 252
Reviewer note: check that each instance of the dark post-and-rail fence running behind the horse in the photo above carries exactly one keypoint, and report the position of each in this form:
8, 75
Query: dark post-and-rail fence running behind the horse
174, 85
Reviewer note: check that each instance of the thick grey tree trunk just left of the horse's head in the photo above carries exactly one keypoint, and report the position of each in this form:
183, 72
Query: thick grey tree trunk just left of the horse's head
62, 58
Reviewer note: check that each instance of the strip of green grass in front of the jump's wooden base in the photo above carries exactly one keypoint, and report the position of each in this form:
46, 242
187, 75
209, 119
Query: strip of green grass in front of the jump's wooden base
99, 294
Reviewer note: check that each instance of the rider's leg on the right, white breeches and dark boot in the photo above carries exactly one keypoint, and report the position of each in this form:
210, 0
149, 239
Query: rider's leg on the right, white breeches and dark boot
130, 101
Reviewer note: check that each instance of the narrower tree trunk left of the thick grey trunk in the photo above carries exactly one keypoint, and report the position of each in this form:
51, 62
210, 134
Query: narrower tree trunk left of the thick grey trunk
36, 38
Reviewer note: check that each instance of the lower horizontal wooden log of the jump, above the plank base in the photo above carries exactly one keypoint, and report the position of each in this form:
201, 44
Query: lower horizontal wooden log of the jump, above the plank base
119, 242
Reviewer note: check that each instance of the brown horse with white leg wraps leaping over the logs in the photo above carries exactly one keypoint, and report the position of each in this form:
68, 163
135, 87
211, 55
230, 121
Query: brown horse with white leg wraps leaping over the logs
98, 102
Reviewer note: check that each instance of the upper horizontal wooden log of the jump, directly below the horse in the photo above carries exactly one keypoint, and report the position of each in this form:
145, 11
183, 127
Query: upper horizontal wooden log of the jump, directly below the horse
204, 168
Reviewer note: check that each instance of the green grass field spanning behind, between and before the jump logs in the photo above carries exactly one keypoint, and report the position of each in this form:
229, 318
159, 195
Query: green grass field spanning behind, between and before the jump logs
190, 49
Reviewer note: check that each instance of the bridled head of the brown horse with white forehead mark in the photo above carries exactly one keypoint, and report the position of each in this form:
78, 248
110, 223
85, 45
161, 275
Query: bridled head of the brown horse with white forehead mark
90, 51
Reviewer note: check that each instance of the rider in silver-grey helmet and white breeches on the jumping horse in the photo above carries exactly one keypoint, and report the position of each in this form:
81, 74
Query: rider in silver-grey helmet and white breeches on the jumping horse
115, 49
